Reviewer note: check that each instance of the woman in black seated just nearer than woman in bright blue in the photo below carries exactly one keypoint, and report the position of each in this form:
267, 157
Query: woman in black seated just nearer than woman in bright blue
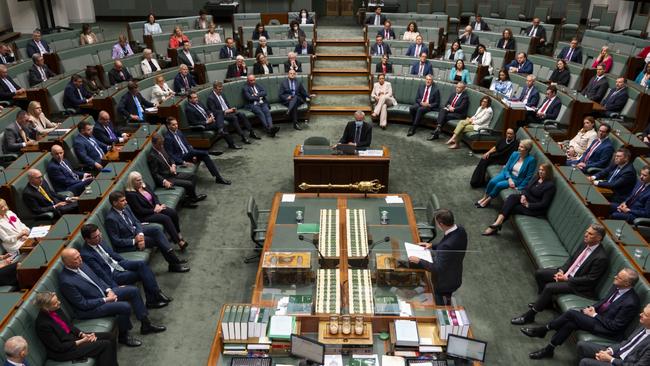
534, 200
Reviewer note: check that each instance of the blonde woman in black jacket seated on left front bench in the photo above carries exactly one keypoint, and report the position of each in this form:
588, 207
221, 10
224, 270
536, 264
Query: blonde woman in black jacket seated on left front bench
147, 208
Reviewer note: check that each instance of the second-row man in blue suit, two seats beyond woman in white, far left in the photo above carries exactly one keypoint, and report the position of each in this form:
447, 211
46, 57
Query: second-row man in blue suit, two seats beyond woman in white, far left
63, 177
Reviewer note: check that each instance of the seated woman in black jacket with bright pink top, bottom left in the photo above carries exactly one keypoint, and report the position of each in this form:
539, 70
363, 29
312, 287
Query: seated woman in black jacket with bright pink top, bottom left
64, 342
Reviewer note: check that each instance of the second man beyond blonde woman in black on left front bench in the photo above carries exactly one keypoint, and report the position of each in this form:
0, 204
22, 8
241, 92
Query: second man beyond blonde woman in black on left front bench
181, 152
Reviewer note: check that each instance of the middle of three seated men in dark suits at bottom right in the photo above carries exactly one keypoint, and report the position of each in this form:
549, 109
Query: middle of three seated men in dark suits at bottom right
609, 317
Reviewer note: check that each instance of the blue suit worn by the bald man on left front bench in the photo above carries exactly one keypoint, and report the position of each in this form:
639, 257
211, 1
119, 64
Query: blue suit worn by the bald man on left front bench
88, 301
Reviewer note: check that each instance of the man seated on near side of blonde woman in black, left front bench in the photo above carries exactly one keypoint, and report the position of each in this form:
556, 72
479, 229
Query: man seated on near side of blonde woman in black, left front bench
128, 234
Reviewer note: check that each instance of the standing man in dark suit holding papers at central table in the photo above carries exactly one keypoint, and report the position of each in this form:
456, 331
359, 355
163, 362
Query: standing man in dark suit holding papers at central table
448, 255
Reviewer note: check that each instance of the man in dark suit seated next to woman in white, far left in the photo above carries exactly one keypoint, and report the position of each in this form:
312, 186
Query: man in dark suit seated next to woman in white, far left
40, 198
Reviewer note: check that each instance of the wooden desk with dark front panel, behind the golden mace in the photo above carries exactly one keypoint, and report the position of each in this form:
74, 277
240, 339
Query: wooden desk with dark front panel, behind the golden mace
339, 169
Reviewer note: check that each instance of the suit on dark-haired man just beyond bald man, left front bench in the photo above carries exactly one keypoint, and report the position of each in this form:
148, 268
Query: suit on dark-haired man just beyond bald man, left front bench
134, 270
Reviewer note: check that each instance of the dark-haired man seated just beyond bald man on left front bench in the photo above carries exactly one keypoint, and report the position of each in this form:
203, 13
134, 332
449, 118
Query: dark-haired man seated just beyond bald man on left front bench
108, 264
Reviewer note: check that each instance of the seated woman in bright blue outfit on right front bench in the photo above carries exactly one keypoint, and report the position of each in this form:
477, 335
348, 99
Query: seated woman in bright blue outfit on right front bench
515, 174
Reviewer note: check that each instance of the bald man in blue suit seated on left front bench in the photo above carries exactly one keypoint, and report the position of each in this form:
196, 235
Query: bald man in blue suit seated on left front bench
91, 297
